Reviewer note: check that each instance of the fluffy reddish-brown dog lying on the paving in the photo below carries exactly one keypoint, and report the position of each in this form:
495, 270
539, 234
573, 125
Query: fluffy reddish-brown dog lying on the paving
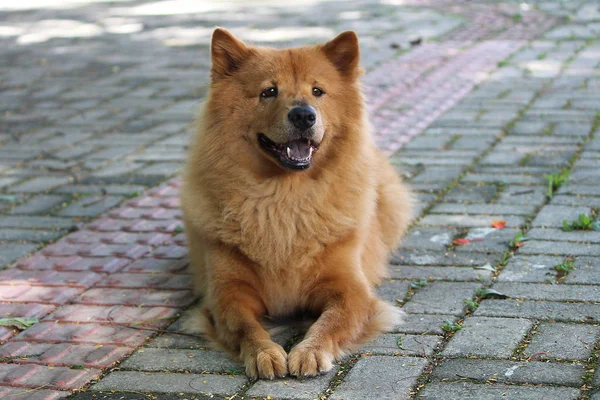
288, 205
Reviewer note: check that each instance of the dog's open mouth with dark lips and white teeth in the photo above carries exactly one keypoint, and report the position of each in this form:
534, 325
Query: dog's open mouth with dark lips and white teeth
295, 154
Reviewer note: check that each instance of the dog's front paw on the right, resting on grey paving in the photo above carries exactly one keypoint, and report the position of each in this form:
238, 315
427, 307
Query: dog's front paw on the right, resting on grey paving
308, 360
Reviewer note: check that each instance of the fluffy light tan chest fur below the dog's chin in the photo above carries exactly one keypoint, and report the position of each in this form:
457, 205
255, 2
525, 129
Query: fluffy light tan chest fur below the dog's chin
284, 224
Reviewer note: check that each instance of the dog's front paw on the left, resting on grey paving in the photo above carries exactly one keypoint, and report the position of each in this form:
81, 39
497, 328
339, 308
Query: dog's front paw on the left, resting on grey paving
265, 361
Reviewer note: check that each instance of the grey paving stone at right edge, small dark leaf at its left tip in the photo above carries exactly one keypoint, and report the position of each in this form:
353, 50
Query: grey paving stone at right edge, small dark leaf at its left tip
552, 292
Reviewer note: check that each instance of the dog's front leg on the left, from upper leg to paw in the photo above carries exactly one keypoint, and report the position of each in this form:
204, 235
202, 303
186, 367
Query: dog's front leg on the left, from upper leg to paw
236, 308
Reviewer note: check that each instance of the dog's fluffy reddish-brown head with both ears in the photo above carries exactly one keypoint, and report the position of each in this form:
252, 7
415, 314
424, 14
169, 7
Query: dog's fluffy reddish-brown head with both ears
286, 105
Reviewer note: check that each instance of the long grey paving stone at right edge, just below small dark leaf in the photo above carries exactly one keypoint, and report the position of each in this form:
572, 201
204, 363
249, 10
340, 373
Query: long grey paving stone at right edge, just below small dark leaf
542, 310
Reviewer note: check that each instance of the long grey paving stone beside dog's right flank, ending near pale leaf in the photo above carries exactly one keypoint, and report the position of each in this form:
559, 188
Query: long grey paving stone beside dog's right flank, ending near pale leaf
438, 273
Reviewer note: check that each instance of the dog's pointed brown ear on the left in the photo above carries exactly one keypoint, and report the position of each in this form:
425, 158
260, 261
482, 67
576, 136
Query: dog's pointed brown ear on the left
227, 53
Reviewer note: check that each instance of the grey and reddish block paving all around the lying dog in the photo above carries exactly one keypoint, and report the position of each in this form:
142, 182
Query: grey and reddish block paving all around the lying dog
475, 102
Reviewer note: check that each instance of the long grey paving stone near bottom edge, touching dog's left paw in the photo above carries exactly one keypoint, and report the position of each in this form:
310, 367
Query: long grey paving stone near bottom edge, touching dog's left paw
170, 382
